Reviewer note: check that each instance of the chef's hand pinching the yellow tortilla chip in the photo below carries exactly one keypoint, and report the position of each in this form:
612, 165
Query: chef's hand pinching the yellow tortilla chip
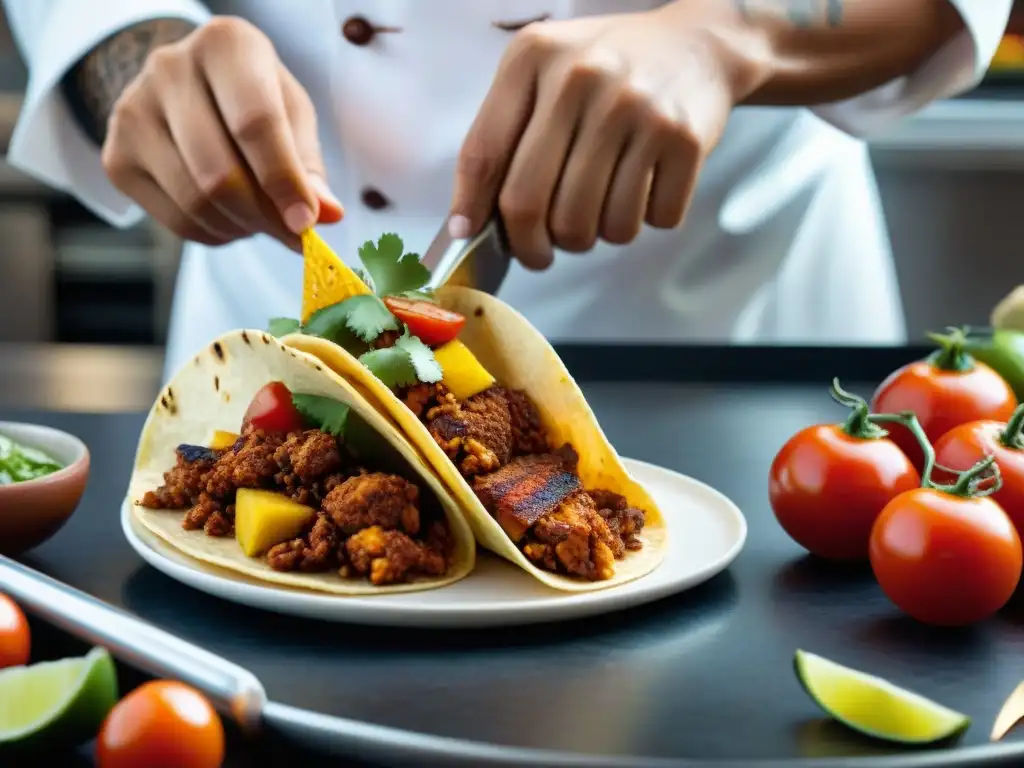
218, 141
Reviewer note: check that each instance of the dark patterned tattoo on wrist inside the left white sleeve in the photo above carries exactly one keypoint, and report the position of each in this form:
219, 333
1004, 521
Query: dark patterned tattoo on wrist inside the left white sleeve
95, 84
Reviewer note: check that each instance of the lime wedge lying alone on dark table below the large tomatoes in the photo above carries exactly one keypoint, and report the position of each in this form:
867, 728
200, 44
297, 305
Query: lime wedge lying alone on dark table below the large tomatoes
876, 707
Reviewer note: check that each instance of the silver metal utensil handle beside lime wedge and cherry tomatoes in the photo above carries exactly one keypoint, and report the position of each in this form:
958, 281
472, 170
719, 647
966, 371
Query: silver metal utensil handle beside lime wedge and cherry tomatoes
233, 690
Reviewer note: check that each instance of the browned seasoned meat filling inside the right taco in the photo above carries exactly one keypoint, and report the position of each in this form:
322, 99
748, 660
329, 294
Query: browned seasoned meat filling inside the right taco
497, 441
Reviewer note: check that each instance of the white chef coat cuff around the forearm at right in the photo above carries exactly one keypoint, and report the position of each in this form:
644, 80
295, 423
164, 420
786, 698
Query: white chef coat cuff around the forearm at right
957, 68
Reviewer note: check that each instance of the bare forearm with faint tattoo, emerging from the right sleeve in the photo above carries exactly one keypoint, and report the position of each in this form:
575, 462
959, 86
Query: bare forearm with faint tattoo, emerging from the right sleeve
809, 53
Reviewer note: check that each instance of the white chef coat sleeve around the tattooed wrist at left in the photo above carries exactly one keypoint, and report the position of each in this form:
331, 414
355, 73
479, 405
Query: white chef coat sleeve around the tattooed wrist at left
48, 144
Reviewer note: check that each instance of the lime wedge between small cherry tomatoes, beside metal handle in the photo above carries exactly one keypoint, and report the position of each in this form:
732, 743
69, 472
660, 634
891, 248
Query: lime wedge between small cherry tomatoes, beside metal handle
61, 702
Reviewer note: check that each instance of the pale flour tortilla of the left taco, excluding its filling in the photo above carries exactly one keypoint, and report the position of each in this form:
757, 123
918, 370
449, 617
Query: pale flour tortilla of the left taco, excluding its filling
212, 393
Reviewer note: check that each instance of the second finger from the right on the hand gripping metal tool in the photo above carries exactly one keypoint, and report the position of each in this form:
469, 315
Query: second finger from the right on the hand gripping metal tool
626, 204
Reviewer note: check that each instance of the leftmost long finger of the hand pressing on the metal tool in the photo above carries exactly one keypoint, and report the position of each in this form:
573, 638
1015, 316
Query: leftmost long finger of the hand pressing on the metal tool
488, 150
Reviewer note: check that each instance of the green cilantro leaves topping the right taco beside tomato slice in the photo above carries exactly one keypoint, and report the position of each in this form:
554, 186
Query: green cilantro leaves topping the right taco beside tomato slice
356, 323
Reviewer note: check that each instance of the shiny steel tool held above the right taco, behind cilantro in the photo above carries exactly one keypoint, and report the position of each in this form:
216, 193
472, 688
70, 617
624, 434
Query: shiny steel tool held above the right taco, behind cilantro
480, 263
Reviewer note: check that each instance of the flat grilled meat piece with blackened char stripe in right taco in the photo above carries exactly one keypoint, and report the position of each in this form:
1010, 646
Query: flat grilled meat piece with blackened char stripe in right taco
526, 490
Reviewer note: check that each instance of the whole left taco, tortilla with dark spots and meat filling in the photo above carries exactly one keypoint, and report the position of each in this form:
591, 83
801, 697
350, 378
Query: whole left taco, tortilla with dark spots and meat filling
260, 460
